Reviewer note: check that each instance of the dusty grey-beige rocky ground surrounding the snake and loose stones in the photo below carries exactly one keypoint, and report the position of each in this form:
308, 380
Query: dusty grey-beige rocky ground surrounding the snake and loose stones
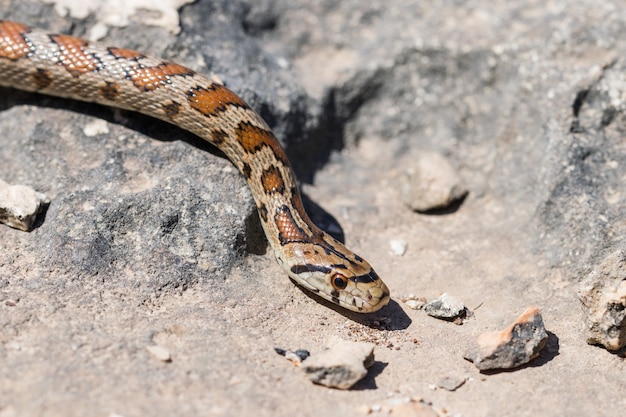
151, 237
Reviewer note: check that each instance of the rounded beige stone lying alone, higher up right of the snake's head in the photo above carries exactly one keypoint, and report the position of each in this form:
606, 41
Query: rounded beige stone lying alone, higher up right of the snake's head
431, 184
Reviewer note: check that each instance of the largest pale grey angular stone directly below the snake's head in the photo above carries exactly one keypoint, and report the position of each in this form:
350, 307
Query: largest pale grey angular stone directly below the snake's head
340, 366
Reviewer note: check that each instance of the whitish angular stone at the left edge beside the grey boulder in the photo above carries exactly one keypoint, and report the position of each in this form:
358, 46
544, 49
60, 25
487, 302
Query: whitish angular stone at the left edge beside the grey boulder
20, 205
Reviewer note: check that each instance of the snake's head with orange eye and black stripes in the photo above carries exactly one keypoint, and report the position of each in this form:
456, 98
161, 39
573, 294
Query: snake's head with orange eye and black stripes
333, 272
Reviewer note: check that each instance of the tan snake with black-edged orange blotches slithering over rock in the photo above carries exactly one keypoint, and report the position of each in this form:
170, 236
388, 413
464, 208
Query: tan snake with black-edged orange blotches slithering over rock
65, 66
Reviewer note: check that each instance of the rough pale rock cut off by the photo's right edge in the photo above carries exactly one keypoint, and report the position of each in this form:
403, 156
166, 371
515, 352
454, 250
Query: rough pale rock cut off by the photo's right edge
603, 294
